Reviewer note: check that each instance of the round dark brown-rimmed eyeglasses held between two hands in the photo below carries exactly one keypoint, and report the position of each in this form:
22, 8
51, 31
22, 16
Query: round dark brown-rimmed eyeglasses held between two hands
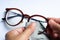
14, 17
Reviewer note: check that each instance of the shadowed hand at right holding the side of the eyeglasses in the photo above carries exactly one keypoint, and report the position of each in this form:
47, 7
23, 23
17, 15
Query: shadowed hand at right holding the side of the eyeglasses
55, 26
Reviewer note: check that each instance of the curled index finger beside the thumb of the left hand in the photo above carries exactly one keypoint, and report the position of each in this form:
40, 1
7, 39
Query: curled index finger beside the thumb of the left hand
14, 33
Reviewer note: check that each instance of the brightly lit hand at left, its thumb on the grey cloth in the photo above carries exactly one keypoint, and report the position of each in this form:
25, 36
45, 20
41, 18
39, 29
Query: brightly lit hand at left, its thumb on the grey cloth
21, 33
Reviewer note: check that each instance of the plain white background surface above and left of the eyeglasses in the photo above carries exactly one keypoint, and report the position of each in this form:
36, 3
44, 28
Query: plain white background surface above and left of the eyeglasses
47, 8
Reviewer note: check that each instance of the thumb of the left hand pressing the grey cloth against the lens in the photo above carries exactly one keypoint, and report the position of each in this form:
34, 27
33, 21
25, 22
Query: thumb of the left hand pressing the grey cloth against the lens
29, 30
